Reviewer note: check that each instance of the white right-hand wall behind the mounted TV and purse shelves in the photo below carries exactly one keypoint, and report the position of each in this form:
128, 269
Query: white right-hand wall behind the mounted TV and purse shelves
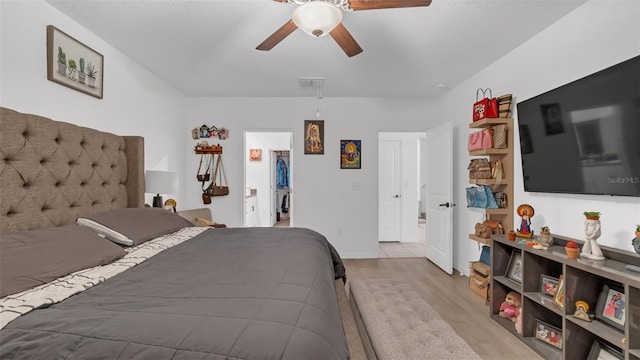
596, 35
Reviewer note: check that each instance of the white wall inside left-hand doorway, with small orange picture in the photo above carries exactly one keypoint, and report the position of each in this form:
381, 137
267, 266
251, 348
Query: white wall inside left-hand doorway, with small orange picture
258, 173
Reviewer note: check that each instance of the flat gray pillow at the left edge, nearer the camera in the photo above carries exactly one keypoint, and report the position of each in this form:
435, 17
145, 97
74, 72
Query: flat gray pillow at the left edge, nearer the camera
32, 258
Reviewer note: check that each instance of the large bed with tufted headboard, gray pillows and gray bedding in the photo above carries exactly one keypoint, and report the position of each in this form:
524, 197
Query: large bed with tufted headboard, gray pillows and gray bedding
87, 272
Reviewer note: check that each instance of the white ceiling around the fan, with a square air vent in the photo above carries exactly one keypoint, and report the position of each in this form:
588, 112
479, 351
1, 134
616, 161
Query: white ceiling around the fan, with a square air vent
207, 47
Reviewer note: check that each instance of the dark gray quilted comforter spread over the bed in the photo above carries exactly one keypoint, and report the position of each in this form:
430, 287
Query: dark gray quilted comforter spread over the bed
250, 293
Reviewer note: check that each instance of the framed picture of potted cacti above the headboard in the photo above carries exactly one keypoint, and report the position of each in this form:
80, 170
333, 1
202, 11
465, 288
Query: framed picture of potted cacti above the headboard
73, 64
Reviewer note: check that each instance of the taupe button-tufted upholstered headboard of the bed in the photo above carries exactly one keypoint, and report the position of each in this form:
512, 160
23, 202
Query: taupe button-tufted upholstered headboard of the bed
52, 172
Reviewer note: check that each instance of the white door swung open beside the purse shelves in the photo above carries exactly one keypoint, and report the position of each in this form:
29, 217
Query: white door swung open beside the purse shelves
440, 197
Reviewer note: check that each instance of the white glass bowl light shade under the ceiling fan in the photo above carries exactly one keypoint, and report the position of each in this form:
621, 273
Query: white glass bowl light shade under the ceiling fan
317, 18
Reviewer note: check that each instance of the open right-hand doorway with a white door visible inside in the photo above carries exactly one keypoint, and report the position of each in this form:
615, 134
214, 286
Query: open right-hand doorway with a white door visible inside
401, 194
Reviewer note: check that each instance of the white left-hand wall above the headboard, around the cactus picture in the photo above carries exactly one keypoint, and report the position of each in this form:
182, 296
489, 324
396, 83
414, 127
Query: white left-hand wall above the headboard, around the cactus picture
135, 102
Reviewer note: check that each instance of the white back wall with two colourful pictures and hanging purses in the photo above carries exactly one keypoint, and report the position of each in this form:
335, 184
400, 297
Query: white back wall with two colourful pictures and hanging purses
341, 204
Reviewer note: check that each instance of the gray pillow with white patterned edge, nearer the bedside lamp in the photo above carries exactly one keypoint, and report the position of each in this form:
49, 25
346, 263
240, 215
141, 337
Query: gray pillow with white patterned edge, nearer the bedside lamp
133, 226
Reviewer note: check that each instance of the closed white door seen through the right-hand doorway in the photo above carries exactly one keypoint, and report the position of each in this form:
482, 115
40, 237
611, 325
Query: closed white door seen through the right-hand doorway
389, 190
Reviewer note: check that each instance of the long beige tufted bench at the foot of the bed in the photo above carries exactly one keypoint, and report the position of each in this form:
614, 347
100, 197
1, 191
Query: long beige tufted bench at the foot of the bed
401, 325
